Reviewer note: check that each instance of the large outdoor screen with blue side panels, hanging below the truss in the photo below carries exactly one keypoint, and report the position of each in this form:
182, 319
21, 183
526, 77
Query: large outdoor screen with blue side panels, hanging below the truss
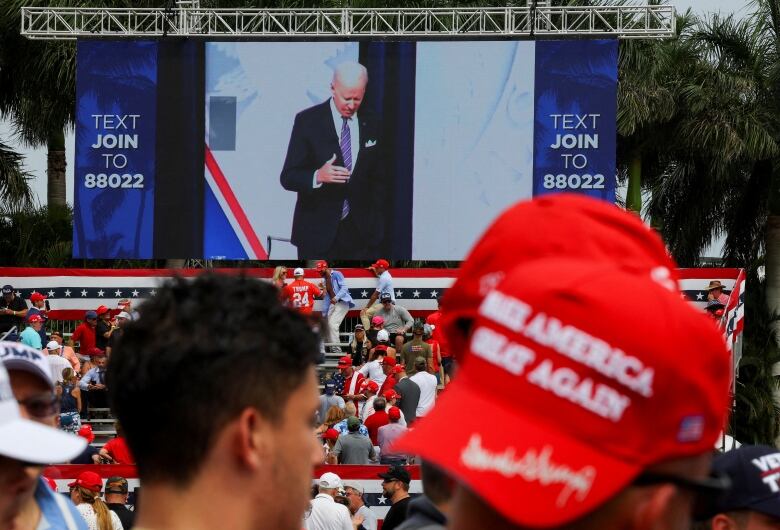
354, 150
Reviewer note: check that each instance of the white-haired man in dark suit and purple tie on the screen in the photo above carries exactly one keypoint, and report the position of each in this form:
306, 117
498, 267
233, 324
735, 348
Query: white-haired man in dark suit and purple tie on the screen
333, 164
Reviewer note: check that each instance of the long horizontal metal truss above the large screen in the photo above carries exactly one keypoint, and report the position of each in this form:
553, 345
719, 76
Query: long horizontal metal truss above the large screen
187, 19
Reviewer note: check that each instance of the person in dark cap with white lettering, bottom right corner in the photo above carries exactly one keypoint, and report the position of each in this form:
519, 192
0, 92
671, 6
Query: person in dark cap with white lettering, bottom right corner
753, 502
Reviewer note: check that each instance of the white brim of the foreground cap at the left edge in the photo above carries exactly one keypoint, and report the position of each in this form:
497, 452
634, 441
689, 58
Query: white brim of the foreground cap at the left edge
32, 442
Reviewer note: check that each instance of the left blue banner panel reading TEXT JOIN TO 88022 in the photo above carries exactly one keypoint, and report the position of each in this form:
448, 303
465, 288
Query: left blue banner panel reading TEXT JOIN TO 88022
116, 113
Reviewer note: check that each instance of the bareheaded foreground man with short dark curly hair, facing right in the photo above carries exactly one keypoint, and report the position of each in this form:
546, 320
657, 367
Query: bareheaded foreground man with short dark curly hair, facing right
232, 443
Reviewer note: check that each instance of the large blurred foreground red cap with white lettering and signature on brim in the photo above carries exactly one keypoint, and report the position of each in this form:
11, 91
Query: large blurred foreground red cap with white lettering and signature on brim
608, 389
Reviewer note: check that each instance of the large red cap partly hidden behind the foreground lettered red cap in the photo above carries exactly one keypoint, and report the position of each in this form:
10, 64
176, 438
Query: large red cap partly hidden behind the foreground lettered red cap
574, 225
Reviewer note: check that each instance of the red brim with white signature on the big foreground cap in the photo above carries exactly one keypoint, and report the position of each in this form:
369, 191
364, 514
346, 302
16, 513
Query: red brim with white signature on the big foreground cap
507, 456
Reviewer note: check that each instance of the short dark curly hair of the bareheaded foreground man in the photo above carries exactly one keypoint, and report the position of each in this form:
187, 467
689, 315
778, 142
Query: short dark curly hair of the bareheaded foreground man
201, 352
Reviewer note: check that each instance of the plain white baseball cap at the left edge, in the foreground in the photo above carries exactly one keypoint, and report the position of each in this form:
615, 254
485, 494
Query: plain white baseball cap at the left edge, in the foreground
27, 440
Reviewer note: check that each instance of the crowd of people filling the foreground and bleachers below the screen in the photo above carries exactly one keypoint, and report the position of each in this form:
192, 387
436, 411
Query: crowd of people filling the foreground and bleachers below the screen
546, 407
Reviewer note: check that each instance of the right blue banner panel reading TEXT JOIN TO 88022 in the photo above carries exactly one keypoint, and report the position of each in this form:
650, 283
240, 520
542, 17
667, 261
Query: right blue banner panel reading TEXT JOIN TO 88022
575, 117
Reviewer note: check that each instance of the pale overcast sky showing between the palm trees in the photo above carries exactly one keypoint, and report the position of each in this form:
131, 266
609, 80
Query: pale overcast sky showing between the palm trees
36, 158
